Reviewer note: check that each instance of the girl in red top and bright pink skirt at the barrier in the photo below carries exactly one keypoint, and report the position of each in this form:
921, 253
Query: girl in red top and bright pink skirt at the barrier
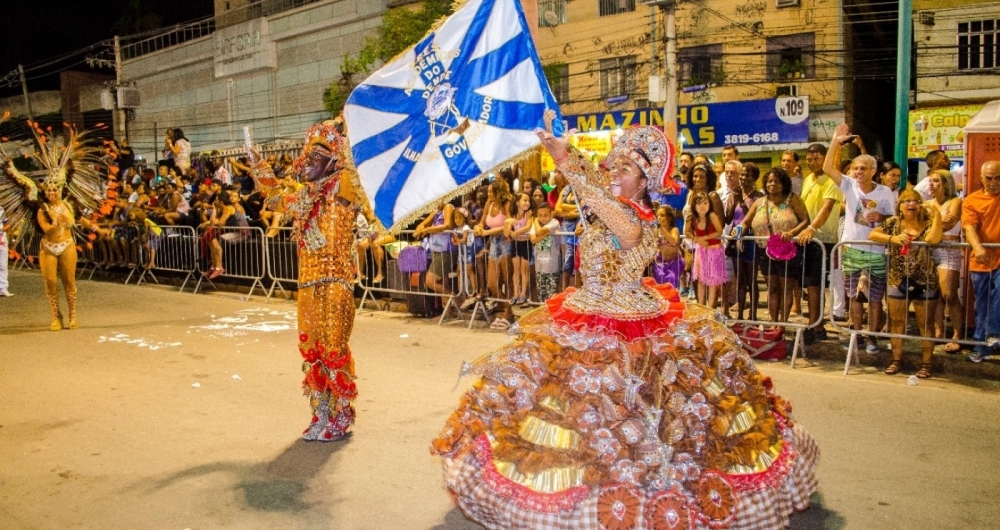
704, 229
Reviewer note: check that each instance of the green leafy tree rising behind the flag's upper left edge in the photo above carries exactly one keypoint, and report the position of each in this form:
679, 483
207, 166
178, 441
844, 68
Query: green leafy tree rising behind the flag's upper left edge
401, 28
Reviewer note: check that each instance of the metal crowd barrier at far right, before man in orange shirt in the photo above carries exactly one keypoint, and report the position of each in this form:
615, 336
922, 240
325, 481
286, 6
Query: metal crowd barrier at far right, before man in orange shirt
966, 297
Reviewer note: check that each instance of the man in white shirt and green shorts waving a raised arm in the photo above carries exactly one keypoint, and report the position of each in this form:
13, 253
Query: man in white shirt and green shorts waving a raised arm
867, 204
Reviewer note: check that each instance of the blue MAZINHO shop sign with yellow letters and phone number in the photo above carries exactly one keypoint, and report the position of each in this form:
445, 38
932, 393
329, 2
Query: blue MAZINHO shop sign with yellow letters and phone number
756, 122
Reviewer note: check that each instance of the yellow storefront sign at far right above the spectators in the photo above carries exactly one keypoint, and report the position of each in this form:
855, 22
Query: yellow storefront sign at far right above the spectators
939, 128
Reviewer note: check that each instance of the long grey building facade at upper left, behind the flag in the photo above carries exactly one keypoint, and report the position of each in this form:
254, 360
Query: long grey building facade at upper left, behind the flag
262, 64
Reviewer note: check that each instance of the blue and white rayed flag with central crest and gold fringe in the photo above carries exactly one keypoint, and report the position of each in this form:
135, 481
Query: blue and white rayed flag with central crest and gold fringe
463, 101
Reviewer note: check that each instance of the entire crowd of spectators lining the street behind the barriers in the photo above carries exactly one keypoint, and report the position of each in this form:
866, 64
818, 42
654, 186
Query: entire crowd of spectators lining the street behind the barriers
725, 229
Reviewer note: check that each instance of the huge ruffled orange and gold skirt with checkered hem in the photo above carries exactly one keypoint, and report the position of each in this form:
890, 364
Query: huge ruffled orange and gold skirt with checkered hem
590, 422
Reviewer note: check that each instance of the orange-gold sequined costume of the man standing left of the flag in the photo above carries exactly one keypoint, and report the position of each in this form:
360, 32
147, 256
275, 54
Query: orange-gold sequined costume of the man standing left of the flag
324, 212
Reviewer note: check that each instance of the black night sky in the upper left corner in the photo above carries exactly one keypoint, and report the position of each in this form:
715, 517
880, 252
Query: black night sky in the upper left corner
33, 31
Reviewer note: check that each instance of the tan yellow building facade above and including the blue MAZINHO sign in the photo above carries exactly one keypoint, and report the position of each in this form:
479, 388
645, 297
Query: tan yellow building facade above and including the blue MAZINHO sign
734, 59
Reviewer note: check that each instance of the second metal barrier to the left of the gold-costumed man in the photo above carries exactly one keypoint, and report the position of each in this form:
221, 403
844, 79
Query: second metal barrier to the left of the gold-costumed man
243, 253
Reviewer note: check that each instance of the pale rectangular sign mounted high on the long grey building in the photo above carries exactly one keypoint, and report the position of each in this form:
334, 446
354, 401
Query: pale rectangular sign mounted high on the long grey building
244, 48
